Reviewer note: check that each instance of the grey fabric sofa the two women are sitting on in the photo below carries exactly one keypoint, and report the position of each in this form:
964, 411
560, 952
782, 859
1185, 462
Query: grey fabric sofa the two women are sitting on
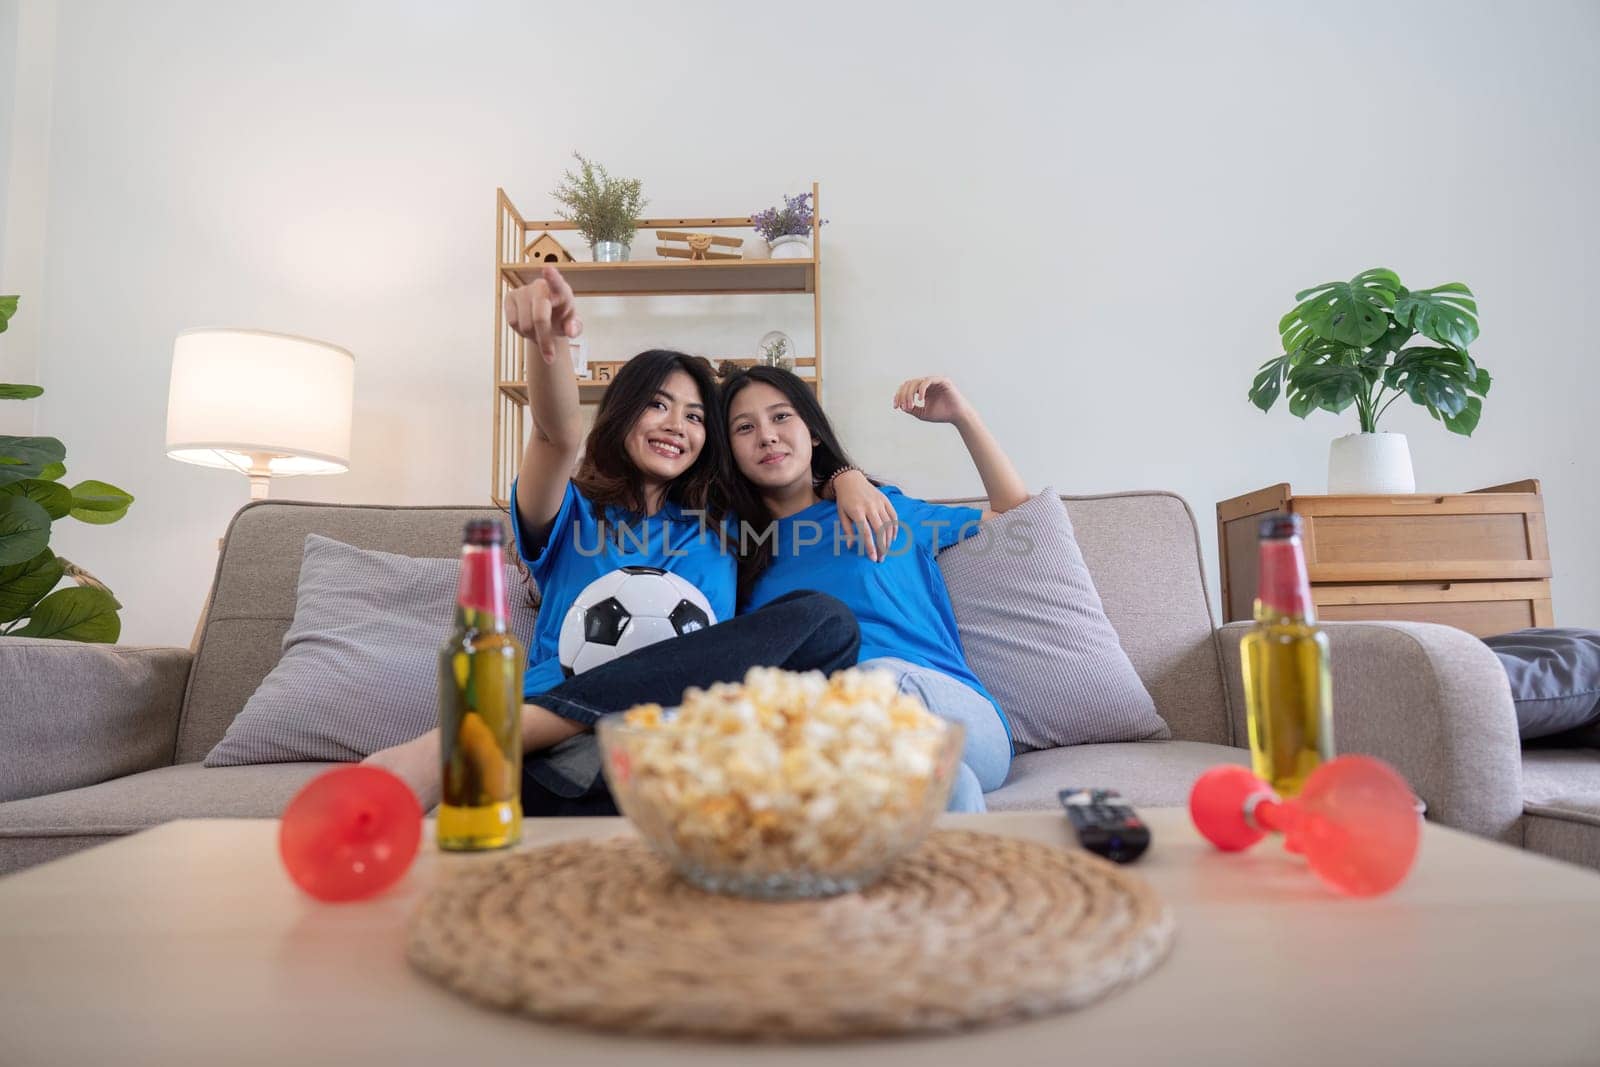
97, 743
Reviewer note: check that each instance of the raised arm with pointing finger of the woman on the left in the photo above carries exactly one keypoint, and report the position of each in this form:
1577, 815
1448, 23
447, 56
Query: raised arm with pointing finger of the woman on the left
546, 314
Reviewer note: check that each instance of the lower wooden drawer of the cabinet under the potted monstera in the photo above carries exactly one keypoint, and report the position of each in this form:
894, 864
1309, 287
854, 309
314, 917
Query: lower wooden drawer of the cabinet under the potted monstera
1482, 609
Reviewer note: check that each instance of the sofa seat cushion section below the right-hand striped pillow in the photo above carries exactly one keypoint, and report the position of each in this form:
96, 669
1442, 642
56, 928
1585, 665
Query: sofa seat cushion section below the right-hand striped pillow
1151, 775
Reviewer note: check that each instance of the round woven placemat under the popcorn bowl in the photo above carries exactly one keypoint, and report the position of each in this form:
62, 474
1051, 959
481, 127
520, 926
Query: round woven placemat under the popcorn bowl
972, 929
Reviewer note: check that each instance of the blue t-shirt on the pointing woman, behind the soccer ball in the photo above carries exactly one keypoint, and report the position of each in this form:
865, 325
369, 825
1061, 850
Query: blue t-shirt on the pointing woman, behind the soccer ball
586, 545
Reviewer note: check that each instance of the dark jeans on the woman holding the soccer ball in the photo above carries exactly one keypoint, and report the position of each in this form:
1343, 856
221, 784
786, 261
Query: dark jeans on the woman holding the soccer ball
804, 631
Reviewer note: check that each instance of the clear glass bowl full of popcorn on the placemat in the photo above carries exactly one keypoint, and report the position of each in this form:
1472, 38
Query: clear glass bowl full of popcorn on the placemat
786, 785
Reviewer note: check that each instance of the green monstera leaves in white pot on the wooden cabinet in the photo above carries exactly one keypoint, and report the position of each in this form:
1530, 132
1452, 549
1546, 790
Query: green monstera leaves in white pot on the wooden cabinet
1345, 345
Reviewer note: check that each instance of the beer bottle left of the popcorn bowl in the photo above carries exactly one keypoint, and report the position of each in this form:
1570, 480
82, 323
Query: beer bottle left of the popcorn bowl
481, 671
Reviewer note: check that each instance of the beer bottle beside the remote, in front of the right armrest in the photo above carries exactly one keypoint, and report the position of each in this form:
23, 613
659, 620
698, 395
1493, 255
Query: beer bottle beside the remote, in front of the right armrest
1289, 690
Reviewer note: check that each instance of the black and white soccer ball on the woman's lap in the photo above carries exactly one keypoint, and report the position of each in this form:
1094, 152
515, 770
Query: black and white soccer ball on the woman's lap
630, 609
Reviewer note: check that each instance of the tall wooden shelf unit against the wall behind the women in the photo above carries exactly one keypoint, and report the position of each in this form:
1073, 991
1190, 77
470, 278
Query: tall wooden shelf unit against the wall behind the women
518, 265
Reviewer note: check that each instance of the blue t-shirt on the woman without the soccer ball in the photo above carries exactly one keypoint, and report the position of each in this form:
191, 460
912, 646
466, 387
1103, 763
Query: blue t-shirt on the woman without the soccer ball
902, 602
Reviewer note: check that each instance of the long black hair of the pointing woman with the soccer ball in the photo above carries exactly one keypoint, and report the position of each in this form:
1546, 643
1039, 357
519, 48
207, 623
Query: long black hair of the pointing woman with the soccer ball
609, 478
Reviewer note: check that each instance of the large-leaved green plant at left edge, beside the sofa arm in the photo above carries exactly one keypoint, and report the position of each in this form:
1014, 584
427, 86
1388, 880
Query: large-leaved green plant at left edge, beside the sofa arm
31, 500
